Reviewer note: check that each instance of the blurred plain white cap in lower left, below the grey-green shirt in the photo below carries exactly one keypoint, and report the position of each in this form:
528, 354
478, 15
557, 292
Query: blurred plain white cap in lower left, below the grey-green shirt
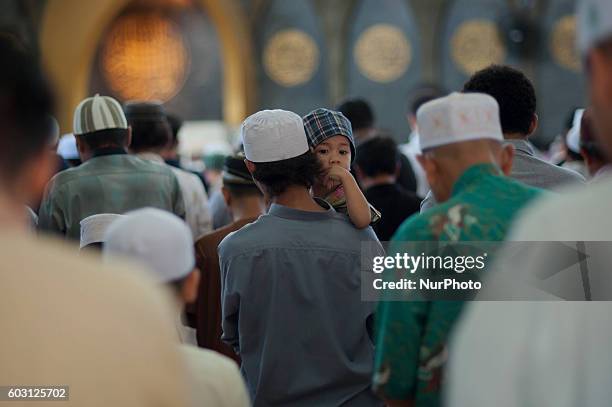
158, 239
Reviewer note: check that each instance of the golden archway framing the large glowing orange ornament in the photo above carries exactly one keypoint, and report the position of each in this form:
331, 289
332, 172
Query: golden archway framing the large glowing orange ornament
71, 30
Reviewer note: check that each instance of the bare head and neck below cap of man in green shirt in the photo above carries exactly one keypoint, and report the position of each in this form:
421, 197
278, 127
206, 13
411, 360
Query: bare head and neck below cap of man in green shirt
445, 164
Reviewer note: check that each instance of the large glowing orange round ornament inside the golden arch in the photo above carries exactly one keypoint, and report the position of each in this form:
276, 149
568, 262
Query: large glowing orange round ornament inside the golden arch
144, 57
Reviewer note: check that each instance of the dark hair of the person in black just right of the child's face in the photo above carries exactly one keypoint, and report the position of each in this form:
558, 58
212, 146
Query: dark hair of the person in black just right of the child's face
377, 156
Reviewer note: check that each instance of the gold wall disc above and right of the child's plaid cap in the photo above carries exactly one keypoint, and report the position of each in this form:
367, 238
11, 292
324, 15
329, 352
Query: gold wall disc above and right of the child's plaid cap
383, 53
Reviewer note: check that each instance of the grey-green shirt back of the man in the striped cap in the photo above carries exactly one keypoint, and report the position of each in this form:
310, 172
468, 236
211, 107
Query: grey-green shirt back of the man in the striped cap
113, 183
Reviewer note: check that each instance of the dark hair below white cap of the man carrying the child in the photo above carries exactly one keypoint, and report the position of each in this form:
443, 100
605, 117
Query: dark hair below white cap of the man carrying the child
276, 176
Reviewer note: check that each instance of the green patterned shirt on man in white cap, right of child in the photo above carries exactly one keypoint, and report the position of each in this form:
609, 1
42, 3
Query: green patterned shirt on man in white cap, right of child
411, 335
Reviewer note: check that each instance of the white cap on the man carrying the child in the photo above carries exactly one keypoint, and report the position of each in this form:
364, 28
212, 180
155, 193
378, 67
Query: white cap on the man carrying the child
273, 135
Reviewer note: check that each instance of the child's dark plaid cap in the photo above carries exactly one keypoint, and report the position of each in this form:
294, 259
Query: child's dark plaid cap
321, 124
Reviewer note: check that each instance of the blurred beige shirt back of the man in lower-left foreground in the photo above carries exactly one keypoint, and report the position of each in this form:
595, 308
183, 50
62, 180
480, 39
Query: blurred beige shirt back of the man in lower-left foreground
105, 333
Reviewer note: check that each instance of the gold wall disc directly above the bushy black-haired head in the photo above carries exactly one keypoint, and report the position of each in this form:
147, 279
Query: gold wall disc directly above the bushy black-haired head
475, 45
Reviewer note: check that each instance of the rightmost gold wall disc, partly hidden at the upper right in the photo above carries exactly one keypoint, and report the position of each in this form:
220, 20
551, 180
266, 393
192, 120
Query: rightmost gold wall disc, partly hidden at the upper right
562, 44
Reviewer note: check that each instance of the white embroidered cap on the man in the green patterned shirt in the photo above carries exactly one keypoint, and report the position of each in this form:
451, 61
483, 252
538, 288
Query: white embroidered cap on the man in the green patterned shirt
458, 117
